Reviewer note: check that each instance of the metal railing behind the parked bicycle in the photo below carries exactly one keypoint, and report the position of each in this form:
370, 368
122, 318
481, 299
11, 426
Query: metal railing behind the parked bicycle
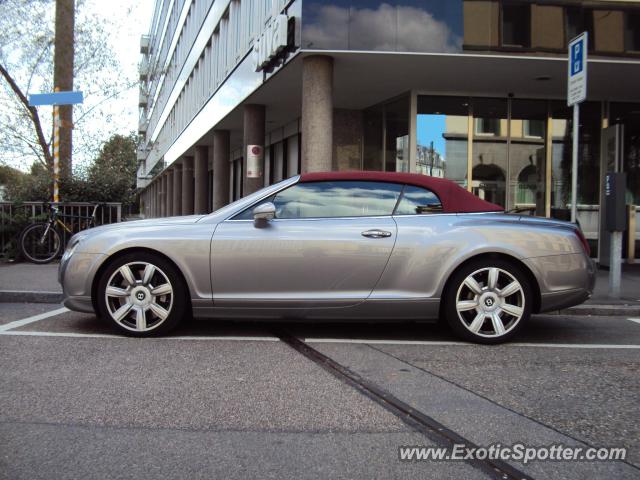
15, 216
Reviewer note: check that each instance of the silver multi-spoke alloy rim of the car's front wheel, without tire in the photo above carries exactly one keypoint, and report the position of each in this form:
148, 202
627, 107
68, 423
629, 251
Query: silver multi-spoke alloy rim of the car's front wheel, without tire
139, 296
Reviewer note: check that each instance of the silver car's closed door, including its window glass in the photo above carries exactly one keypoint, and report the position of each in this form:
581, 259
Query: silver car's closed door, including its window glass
326, 247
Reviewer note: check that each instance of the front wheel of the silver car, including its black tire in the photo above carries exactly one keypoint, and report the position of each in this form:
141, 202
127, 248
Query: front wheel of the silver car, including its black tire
141, 295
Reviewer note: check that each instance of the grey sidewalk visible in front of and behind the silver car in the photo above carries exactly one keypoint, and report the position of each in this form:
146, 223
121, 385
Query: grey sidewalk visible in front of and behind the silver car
29, 283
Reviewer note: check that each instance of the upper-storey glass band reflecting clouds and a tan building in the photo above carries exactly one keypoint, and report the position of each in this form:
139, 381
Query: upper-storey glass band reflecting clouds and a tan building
457, 26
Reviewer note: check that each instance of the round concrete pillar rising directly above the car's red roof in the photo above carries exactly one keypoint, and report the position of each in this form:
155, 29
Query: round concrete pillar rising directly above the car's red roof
317, 113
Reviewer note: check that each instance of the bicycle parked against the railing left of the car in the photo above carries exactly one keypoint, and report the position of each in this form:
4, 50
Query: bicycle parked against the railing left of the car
42, 242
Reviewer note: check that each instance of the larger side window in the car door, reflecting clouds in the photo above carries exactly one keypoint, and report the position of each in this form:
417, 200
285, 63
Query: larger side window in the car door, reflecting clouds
337, 199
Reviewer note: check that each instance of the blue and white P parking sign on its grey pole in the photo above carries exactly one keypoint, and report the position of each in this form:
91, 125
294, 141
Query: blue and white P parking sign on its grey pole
576, 93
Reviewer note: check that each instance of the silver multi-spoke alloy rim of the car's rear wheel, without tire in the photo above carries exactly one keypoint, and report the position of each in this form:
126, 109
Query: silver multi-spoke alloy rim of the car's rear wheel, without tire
490, 302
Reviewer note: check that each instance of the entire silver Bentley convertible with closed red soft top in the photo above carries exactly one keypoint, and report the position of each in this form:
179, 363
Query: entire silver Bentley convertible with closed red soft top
340, 246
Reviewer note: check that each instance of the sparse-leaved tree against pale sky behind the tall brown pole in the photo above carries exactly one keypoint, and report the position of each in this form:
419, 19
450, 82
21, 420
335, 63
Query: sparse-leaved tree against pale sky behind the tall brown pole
26, 66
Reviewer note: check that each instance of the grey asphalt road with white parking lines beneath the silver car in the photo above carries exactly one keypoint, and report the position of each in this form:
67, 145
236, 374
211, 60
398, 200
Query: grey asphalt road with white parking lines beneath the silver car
230, 400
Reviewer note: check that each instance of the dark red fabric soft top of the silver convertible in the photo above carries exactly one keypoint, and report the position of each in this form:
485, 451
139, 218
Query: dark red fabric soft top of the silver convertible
453, 197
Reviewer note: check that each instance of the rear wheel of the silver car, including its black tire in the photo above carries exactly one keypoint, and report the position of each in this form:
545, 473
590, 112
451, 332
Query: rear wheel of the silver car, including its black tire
468, 324
